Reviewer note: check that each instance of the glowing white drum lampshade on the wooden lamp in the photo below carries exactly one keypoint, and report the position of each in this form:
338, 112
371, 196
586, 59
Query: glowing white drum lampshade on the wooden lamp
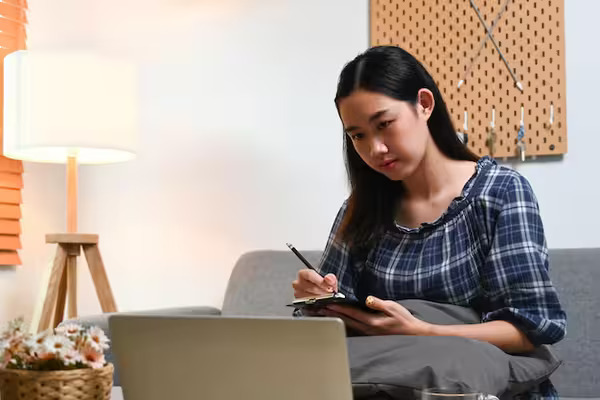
58, 105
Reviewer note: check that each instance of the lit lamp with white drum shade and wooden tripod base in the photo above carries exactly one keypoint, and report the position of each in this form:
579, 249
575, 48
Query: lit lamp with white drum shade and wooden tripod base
73, 108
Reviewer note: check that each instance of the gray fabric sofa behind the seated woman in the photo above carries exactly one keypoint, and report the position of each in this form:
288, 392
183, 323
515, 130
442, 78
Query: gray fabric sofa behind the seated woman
260, 284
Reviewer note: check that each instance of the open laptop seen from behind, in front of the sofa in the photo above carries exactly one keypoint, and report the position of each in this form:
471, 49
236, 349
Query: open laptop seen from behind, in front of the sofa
230, 358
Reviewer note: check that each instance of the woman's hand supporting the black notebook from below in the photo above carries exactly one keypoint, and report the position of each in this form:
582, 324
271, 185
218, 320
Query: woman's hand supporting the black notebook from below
393, 319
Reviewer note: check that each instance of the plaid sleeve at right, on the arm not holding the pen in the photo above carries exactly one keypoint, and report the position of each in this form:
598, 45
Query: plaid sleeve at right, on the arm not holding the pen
515, 273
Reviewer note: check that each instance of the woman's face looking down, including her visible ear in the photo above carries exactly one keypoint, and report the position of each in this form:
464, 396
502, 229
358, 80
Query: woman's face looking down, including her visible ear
391, 136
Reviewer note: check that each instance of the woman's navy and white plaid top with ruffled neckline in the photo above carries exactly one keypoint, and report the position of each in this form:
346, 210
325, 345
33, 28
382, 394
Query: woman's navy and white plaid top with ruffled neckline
487, 251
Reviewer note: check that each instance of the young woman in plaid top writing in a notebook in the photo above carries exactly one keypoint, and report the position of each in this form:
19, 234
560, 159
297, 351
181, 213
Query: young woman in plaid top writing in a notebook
427, 219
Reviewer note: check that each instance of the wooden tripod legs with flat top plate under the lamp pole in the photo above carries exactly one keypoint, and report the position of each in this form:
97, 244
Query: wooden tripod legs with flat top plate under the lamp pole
63, 277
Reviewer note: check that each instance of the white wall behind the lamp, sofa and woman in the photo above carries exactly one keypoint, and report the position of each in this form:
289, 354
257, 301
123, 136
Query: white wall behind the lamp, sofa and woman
241, 146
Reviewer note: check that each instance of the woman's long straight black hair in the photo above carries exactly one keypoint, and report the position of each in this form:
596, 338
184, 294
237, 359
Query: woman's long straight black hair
393, 72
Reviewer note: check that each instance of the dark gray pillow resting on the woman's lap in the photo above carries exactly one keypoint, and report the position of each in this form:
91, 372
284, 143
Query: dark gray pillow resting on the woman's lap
393, 367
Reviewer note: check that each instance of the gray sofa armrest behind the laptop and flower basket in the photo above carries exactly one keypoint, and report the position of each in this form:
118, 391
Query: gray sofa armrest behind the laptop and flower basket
101, 321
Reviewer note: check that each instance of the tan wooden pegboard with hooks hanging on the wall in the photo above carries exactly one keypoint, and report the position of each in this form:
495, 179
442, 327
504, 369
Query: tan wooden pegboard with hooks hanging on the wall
446, 34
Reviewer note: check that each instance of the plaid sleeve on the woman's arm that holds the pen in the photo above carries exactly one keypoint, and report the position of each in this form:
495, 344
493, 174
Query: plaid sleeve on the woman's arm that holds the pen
337, 259
